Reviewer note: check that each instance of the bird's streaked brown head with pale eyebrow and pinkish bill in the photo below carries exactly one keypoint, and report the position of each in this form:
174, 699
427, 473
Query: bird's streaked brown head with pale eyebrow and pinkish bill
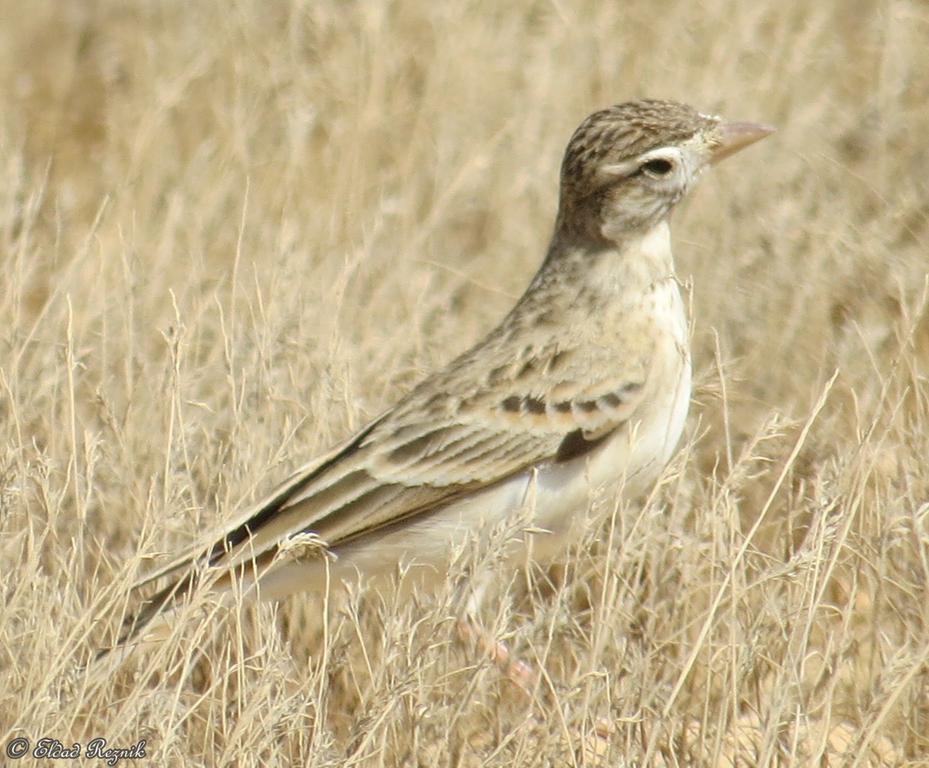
627, 166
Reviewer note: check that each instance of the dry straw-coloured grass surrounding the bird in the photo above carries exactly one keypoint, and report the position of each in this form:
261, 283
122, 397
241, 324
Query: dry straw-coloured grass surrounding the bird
231, 232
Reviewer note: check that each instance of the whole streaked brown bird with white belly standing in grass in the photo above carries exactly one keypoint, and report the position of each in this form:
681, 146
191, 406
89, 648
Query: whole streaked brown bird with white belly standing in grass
584, 385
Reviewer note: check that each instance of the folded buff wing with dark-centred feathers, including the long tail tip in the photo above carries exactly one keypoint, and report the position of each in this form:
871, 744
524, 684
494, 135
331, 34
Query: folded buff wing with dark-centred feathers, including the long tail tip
467, 427
